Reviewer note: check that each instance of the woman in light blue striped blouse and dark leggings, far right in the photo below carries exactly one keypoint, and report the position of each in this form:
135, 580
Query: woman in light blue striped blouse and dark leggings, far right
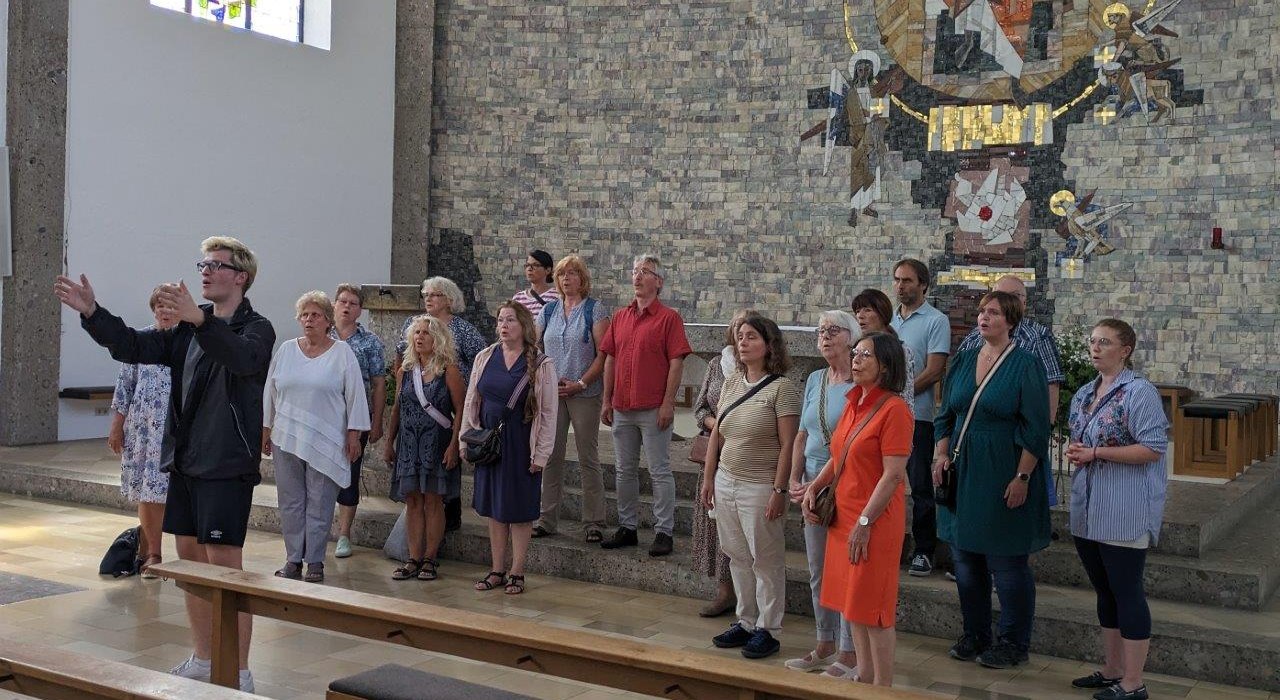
1119, 438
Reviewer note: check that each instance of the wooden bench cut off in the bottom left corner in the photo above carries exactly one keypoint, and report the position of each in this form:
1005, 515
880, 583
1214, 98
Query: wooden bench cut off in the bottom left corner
60, 675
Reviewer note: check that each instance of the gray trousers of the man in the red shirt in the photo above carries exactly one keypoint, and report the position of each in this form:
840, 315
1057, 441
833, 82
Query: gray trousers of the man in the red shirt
632, 432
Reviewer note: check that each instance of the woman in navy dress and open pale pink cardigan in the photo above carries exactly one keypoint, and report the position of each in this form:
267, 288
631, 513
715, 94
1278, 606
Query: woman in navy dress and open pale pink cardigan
509, 493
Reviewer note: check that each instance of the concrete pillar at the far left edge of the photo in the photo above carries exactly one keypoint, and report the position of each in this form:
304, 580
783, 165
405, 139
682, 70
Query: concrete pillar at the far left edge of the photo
38, 158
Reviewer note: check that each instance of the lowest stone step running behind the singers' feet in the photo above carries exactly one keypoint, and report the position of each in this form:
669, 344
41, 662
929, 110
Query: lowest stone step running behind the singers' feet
1212, 644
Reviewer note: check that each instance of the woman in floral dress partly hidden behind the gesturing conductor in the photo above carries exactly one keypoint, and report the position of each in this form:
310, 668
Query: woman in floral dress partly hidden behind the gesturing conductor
140, 409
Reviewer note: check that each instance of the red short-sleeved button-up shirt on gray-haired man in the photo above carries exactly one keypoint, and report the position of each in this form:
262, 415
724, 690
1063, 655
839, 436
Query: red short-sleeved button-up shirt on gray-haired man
643, 344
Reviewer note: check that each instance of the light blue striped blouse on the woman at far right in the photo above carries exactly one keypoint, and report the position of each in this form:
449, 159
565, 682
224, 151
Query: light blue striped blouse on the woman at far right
1114, 502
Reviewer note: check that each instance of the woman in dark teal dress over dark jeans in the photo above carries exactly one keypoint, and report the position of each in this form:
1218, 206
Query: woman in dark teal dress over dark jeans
1002, 511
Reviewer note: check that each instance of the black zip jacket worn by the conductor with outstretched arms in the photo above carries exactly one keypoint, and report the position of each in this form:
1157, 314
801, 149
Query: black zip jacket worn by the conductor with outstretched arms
218, 434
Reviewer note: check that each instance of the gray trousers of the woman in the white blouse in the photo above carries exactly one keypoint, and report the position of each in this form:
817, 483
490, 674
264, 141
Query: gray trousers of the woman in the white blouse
308, 501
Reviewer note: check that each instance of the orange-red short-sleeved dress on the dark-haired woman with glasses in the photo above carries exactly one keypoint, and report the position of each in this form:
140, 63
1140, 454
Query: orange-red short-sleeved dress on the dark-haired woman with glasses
867, 593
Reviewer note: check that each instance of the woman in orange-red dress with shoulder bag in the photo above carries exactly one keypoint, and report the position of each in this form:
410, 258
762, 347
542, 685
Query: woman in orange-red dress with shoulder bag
865, 542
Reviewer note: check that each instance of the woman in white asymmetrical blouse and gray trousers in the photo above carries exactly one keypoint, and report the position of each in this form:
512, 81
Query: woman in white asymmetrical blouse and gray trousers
314, 410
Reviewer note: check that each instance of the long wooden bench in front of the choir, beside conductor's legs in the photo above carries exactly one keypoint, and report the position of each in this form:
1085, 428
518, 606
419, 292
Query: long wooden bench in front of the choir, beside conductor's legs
578, 655
